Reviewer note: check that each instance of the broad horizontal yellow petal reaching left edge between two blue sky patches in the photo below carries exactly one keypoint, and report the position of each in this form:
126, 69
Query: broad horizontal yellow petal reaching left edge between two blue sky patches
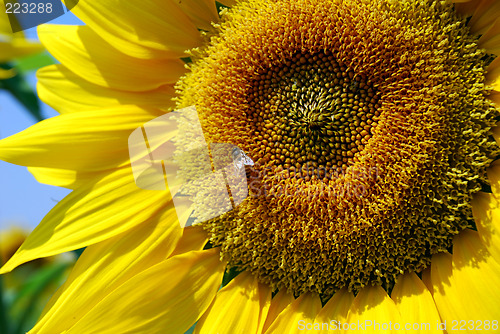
87, 141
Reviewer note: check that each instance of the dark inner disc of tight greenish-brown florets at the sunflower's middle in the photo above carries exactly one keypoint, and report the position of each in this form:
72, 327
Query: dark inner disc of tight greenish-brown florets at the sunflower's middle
313, 110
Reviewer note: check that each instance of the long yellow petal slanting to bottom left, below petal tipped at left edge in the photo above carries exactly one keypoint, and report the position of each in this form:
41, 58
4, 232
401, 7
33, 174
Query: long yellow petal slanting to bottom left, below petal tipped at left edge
105, 266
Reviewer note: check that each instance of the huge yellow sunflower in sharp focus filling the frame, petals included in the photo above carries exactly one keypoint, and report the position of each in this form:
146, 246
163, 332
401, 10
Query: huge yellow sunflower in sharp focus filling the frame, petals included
373, 199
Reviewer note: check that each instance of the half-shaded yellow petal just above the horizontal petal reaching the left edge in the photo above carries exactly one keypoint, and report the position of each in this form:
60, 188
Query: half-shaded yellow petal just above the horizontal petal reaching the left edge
67, 93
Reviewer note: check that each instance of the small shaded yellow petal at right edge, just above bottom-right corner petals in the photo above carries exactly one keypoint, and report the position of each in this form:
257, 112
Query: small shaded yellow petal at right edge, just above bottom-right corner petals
486, 211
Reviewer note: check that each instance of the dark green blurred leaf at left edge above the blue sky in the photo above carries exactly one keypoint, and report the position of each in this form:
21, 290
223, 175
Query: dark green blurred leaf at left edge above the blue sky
22, 91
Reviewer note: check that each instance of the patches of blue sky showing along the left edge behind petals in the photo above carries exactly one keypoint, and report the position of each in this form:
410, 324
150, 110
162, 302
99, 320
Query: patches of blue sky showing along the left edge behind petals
24, 201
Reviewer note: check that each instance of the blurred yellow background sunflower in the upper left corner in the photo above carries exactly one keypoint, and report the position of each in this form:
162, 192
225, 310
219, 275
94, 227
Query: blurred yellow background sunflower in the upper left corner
13, 45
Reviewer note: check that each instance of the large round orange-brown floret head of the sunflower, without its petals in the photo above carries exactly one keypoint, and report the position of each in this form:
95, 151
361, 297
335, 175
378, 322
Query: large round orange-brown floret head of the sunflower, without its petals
370, 127
